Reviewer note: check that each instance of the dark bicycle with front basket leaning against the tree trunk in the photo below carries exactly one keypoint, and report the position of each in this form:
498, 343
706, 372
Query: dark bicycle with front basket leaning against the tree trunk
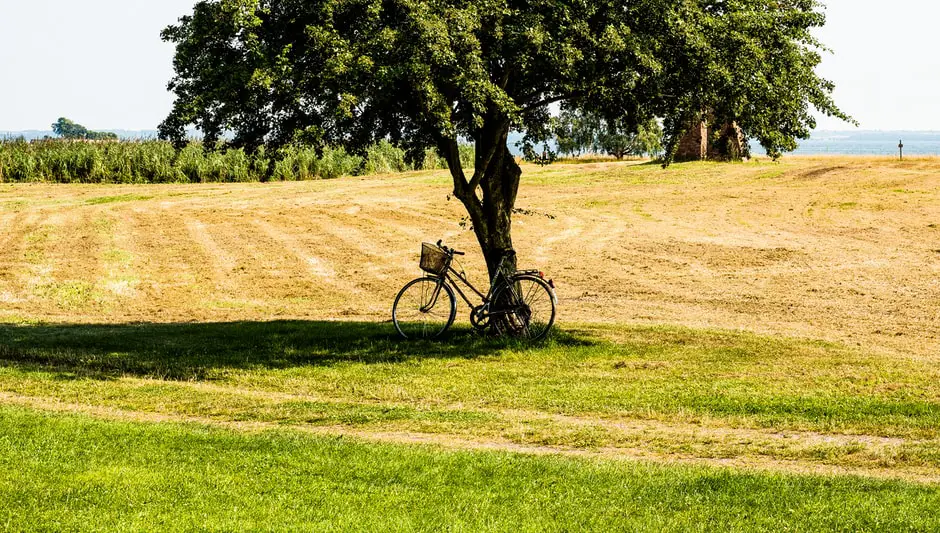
518, 305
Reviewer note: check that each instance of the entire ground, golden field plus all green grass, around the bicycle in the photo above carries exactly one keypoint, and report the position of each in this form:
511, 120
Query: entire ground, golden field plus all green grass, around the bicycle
751, 346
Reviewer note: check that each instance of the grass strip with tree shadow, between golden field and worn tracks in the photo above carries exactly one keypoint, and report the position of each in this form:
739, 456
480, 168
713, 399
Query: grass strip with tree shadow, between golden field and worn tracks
661, 371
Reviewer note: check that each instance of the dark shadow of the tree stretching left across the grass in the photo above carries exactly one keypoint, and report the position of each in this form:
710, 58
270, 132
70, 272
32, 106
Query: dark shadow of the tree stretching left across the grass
191, 350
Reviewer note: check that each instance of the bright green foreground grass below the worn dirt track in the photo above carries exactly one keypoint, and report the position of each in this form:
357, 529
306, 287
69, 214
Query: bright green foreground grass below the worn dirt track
75, 473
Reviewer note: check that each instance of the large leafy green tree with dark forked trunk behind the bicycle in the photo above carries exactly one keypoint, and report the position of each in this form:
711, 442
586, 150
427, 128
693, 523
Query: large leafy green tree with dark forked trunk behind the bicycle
425, 73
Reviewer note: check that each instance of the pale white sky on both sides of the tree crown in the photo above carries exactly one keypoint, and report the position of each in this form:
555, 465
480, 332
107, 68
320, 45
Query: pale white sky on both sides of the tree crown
101, 62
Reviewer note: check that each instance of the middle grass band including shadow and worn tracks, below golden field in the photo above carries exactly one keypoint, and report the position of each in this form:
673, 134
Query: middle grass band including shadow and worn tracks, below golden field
669, 391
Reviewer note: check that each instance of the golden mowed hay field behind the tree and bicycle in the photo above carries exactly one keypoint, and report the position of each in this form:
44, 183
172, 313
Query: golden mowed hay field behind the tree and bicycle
839, 249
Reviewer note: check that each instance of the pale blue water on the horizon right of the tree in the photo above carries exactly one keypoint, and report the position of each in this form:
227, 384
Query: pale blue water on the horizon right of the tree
866, 143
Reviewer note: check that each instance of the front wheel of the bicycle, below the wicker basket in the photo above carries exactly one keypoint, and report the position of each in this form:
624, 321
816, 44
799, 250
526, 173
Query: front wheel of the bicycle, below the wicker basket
424, 309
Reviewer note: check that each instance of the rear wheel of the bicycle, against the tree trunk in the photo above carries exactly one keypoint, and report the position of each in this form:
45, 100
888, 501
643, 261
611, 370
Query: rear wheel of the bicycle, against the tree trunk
524, 307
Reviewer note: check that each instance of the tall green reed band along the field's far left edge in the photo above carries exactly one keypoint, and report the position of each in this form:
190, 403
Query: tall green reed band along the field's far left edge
62, 161
